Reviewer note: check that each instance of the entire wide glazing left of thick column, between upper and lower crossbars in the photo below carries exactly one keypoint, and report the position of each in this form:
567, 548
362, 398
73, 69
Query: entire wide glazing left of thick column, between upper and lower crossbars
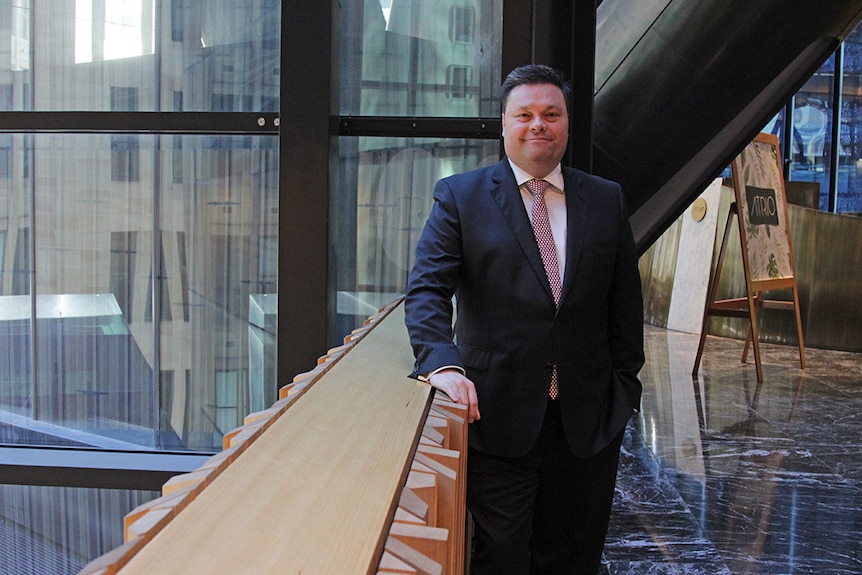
148, 292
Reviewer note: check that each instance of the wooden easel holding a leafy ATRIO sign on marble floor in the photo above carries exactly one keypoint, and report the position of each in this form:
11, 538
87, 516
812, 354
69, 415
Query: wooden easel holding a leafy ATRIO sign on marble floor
760, 211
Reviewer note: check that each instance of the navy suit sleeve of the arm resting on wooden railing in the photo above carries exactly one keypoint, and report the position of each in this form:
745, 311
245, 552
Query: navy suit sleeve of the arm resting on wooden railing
428, 304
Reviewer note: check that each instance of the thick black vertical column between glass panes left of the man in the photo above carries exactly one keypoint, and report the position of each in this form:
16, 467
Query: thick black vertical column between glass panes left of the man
305, 145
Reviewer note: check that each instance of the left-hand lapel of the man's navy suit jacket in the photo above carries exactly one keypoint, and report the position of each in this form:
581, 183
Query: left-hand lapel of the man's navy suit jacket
507, 196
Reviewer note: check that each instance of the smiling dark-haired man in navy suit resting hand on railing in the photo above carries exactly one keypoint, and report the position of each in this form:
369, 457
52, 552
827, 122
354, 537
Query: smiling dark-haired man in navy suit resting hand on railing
545, 353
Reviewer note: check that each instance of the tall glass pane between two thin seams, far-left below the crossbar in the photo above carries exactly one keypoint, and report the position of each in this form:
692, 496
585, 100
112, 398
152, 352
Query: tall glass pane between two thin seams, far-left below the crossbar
94, 197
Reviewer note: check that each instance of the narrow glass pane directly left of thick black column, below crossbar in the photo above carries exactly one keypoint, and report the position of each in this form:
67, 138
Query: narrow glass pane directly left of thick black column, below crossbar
219, 226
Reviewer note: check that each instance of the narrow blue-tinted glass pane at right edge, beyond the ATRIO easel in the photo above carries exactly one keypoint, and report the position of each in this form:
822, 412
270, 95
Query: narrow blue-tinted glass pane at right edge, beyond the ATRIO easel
849, 198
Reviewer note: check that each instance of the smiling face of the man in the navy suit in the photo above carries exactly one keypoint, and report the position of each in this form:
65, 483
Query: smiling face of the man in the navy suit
536, 127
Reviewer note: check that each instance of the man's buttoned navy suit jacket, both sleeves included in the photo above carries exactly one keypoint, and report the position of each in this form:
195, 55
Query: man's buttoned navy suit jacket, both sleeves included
478, 246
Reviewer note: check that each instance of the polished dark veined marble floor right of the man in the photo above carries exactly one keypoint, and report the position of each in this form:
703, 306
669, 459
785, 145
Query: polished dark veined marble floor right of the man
720, 475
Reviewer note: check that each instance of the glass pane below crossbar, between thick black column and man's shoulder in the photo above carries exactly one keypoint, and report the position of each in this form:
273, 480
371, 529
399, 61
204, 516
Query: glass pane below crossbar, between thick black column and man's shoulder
384, 196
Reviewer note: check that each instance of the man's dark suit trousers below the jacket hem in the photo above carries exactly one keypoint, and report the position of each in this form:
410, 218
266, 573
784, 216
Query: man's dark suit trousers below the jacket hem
546, 512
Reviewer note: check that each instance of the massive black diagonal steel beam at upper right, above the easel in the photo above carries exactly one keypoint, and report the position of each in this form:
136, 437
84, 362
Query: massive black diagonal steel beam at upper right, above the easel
699, 81
